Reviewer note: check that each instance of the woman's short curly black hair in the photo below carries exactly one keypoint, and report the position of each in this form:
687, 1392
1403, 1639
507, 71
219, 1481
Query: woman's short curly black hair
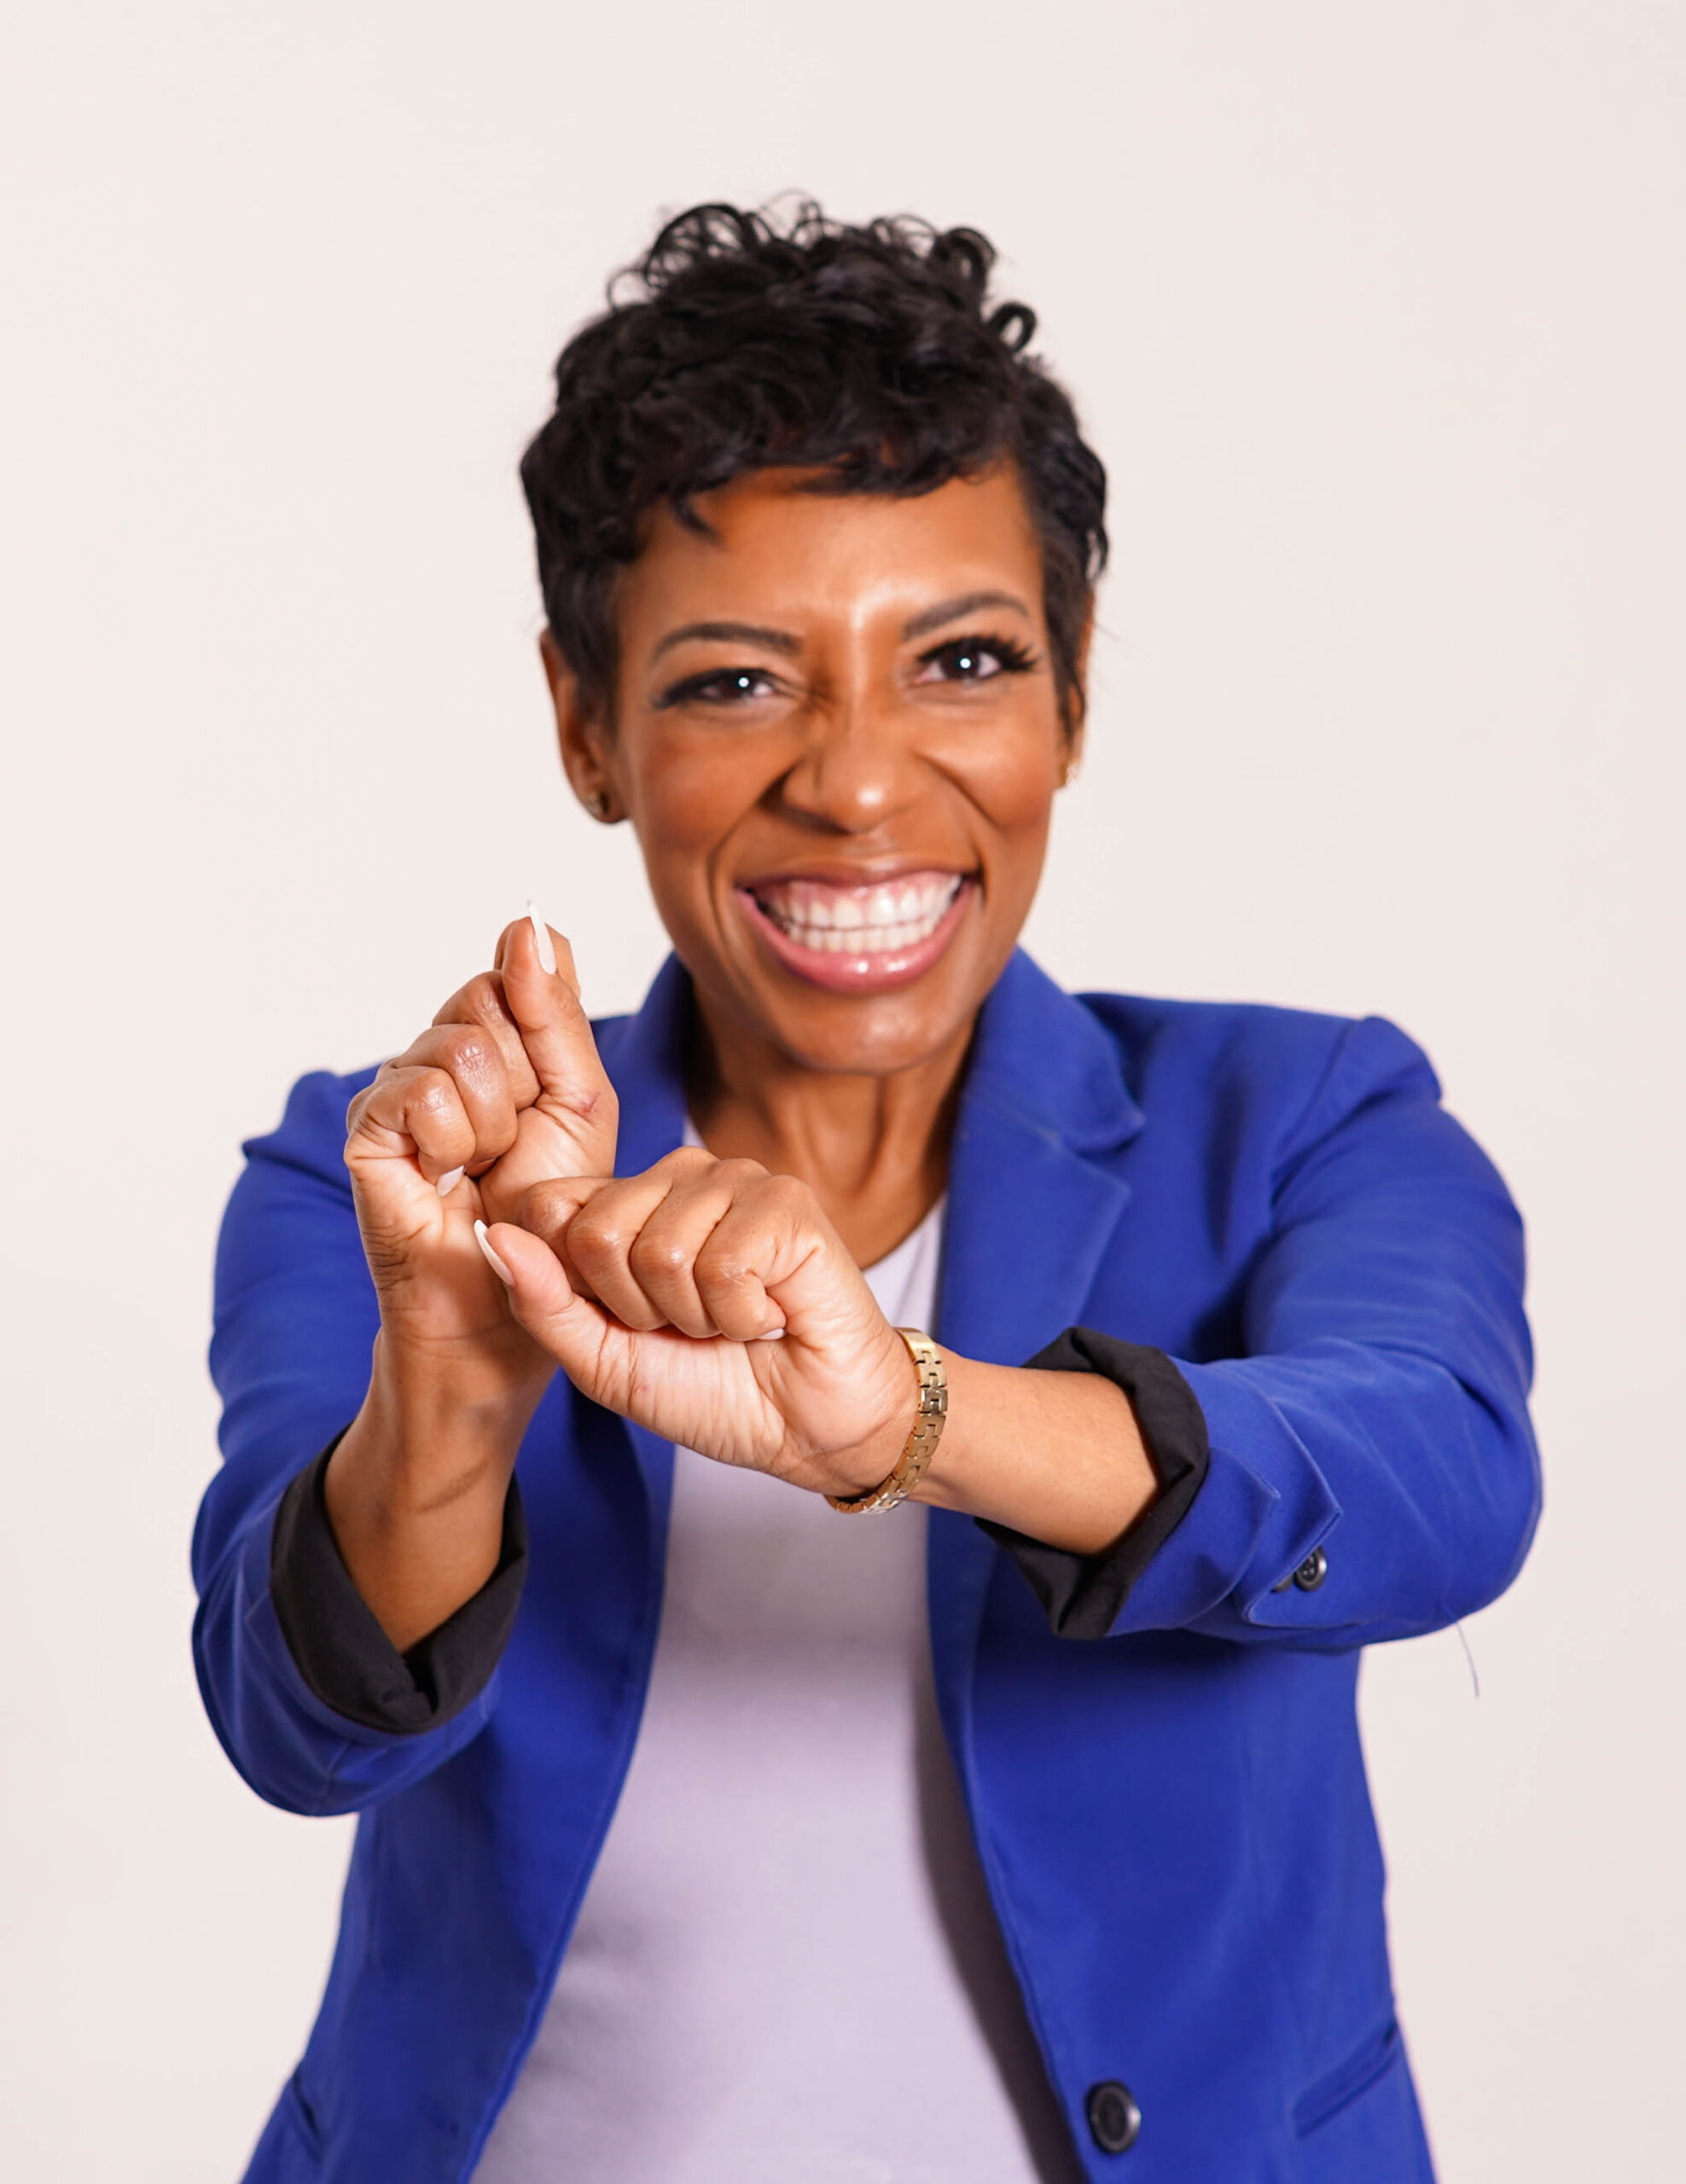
870, 355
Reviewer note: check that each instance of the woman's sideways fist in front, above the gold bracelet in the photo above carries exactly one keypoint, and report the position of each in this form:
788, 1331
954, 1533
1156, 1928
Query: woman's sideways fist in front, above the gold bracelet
715, 1305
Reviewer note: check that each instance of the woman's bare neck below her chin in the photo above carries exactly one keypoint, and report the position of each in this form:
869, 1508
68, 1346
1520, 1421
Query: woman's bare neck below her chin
872, 1148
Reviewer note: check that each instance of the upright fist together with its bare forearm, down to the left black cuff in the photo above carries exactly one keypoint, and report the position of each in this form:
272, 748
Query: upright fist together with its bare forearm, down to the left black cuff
501, 1091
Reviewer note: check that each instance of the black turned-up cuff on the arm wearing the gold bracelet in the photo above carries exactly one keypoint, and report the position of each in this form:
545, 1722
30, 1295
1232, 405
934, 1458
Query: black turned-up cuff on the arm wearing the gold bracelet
1087, 1593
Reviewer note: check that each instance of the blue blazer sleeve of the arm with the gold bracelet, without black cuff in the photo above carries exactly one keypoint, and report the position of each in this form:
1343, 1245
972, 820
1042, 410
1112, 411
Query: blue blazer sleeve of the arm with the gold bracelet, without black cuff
1370, 1462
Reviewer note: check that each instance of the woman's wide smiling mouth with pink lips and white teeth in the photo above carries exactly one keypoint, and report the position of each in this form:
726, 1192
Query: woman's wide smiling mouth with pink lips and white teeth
859, 938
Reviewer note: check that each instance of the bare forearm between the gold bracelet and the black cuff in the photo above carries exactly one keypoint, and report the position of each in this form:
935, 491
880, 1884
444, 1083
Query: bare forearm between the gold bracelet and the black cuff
1056, 1456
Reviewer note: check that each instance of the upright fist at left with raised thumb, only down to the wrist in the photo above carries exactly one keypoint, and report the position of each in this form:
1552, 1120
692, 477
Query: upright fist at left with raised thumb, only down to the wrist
506, 1089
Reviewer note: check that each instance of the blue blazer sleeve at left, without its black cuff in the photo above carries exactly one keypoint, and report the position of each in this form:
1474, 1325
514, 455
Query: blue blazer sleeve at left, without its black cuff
294, 1329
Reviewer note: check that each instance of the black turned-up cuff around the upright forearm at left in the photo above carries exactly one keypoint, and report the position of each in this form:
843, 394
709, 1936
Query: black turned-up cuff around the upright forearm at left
342, 1650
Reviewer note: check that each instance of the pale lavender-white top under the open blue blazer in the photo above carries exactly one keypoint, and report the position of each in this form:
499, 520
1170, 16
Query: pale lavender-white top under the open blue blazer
787, 1969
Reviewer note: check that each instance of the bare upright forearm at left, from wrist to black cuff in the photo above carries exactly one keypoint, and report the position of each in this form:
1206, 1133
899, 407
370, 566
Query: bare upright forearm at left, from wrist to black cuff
416, 1488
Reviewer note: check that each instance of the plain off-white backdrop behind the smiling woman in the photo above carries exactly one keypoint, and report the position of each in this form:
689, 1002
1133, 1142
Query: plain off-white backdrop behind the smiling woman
1377, 318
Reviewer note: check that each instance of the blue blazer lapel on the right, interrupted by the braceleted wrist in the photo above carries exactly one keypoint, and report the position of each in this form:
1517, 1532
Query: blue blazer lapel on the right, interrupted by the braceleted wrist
1030, 1218
